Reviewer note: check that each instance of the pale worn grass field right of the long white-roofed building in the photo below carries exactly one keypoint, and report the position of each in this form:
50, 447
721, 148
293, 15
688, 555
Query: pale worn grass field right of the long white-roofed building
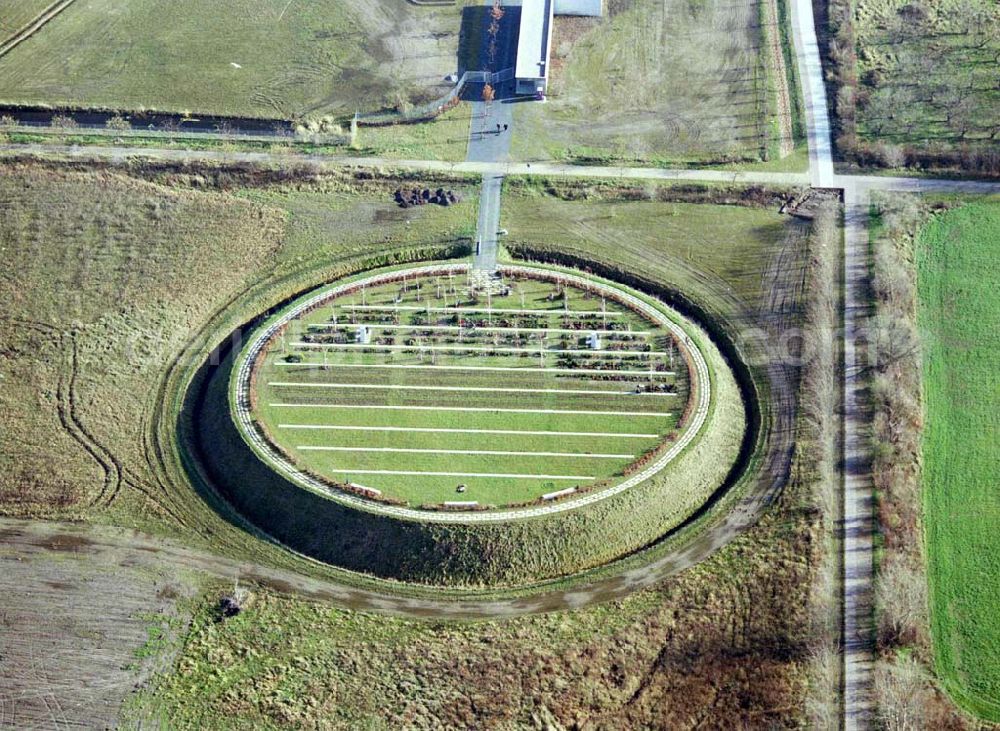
653, 82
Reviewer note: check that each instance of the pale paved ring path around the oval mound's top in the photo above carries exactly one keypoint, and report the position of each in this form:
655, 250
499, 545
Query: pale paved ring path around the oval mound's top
263, 449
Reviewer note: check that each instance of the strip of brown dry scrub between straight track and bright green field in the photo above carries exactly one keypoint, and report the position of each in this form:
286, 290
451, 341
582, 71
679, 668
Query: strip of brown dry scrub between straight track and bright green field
906, 692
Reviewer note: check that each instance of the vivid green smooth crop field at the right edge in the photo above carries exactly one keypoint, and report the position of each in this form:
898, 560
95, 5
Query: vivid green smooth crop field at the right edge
958, 259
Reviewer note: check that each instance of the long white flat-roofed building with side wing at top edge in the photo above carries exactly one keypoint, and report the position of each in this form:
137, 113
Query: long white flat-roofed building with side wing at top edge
534, 43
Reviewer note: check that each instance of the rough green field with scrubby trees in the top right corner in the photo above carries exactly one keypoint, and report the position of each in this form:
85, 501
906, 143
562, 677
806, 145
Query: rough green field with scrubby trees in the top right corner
918, 81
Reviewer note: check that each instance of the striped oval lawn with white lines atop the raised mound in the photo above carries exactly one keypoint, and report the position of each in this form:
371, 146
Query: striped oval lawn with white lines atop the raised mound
355, 414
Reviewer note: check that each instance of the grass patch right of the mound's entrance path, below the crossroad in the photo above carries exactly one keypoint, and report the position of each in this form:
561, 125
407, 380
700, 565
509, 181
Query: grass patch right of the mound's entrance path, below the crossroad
699, 248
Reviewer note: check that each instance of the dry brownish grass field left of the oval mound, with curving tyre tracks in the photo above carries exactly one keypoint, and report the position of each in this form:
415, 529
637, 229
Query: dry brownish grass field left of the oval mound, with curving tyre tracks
125, 266
